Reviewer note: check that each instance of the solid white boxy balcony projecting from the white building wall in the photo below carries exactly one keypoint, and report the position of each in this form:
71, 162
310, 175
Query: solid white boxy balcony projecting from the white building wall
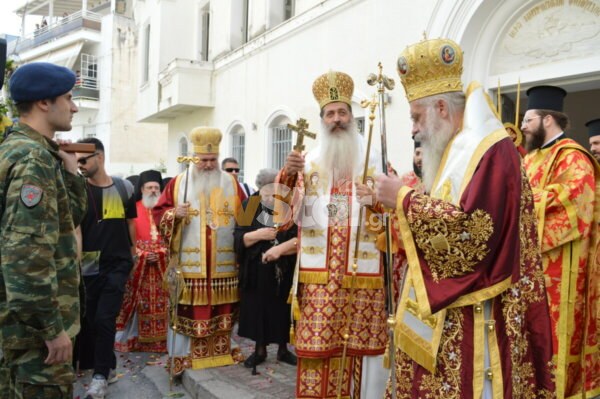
183, 87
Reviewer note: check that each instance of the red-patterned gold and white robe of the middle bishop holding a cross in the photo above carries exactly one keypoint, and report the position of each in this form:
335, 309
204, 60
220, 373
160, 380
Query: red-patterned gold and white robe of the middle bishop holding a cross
327, 215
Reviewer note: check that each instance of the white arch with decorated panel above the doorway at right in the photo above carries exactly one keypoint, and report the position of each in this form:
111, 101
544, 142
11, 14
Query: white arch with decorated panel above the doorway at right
554, 42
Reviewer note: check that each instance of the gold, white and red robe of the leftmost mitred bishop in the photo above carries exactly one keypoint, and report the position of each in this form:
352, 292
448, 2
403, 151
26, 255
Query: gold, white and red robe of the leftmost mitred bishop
204, 316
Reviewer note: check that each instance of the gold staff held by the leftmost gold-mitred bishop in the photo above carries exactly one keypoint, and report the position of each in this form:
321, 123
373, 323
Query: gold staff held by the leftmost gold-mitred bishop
174, 276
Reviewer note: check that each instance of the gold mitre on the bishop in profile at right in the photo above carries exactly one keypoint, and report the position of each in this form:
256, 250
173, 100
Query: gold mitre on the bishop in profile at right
430, 67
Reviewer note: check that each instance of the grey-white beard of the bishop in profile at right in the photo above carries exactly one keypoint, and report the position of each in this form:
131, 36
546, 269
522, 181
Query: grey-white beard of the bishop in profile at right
433, 138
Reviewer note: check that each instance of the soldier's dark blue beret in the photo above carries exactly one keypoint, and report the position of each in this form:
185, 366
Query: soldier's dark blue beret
39, 81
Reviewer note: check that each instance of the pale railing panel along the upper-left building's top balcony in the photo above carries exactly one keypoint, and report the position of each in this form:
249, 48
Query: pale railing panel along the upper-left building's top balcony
66, 25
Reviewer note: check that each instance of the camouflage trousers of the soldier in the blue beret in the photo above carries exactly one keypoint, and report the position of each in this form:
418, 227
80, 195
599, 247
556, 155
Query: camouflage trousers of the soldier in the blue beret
23, 375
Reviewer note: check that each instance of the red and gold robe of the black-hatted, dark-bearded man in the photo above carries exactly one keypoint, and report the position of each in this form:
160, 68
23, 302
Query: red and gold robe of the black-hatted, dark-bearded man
565, 180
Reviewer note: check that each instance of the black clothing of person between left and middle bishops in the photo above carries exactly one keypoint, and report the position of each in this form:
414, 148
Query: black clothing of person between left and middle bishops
264, 311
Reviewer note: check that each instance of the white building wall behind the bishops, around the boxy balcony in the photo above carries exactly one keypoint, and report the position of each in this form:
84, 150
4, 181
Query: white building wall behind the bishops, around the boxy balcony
273, 73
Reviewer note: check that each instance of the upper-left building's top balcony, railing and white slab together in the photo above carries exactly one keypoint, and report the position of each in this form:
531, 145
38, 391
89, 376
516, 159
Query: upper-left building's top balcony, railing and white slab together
76, 28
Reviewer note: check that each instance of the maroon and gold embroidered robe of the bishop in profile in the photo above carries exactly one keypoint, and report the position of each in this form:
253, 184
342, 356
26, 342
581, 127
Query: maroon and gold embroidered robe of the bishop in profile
472, 317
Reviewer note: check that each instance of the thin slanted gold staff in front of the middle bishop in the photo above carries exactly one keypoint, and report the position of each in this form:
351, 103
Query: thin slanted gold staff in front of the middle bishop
346, 334
